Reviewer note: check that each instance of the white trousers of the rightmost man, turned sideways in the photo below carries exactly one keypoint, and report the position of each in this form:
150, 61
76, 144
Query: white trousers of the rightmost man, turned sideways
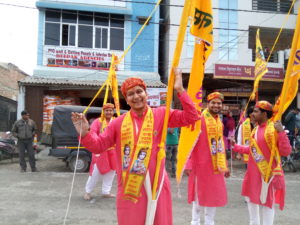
268, 214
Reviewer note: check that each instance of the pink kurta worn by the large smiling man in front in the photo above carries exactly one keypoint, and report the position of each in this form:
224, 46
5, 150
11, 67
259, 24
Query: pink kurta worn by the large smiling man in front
130, 213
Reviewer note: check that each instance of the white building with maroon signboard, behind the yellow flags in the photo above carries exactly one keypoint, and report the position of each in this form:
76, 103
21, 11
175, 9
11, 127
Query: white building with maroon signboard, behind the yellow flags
230, 67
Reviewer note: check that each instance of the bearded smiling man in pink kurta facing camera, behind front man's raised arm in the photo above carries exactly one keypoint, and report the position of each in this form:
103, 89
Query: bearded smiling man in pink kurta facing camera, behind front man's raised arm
205, 188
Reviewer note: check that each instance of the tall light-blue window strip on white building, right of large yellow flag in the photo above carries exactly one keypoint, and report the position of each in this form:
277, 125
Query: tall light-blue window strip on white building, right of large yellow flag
228, 35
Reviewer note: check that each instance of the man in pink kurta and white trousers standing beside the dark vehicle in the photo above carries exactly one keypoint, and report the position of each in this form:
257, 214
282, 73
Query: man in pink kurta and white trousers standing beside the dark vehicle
103, 165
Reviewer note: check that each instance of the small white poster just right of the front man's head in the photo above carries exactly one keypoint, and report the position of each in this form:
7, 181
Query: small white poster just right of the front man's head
157, 97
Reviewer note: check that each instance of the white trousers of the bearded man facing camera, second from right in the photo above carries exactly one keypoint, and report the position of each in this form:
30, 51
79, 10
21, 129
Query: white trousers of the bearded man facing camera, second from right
209, 214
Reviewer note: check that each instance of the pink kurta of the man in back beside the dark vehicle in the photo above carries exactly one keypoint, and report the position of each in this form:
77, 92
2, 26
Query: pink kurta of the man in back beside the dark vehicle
105, 161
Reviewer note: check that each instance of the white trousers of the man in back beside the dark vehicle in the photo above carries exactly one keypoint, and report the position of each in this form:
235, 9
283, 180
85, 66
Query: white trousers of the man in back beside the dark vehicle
107, 180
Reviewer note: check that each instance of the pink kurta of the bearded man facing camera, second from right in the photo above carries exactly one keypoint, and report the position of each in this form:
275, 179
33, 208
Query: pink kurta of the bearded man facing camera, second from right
209, 187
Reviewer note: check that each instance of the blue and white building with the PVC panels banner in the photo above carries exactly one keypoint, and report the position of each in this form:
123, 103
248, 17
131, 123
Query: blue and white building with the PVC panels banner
76, 39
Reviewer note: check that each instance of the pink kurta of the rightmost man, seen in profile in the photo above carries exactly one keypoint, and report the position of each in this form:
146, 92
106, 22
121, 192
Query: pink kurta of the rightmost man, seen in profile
252, 180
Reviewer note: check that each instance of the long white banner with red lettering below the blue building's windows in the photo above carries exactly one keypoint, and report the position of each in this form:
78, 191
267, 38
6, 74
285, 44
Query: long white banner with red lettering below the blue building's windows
79, 58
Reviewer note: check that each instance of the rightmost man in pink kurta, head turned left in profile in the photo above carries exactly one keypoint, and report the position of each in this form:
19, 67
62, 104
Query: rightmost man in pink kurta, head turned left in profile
252, 183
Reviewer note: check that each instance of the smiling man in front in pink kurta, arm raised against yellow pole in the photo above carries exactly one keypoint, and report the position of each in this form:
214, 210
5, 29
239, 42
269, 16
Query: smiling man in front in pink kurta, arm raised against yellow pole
128, 212
